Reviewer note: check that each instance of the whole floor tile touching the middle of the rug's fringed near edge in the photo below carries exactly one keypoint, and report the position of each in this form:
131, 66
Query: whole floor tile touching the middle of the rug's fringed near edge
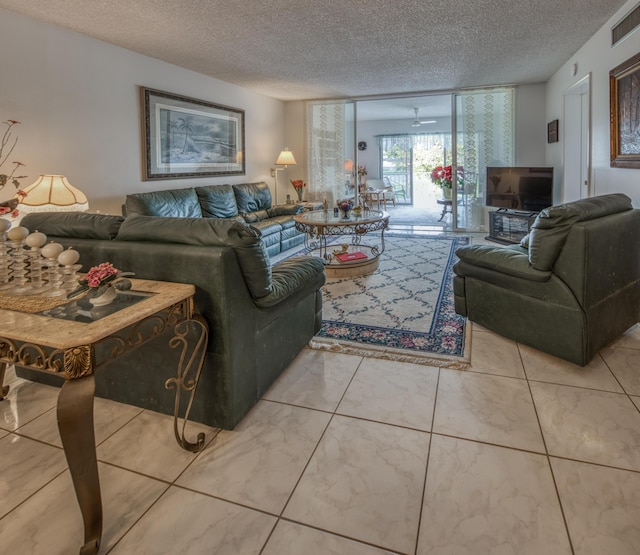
393, 393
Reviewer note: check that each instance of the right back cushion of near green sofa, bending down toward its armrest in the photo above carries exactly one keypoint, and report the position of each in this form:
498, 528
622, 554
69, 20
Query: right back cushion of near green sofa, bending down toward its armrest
245, 240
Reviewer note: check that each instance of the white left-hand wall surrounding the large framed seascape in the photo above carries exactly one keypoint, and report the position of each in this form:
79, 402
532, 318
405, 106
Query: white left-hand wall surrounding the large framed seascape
78, 103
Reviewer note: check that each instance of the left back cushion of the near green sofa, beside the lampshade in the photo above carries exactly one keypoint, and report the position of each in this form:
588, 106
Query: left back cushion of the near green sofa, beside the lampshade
73, 224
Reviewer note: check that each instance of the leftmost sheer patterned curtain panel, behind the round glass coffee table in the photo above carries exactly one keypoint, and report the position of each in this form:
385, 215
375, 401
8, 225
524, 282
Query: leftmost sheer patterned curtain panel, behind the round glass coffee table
326, 152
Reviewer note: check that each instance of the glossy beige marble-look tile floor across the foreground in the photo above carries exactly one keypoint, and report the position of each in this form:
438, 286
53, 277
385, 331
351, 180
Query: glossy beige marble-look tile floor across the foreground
522, 454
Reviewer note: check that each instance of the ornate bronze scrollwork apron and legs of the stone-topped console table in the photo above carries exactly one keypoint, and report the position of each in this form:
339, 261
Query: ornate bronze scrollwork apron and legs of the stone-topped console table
75, 400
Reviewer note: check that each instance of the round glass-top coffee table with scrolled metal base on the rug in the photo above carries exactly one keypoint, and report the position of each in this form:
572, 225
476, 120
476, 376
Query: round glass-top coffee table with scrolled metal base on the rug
344, 259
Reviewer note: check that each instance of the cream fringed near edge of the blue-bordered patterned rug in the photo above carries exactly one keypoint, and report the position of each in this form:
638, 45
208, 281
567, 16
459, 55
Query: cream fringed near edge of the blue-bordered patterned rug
397, 355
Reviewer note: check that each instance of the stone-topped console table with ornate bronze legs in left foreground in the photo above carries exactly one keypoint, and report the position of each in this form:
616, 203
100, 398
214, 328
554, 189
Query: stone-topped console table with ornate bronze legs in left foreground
74, 340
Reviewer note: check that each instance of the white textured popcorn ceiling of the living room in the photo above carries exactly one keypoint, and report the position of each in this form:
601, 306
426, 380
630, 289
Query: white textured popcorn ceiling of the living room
303, 49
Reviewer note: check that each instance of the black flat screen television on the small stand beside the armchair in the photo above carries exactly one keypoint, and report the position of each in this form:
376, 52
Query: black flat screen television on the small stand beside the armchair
522, 189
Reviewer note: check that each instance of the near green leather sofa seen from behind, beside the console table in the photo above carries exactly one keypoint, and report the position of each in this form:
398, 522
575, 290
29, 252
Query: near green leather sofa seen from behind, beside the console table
260, 316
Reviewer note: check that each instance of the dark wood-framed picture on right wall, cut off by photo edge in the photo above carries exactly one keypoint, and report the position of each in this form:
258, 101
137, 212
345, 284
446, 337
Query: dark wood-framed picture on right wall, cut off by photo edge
624, 90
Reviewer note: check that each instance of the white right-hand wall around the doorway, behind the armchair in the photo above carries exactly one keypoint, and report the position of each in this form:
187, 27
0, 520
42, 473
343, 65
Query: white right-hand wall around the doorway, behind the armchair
597, 58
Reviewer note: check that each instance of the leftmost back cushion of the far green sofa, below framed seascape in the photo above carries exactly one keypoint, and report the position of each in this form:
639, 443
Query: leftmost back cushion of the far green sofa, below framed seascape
173, 203
